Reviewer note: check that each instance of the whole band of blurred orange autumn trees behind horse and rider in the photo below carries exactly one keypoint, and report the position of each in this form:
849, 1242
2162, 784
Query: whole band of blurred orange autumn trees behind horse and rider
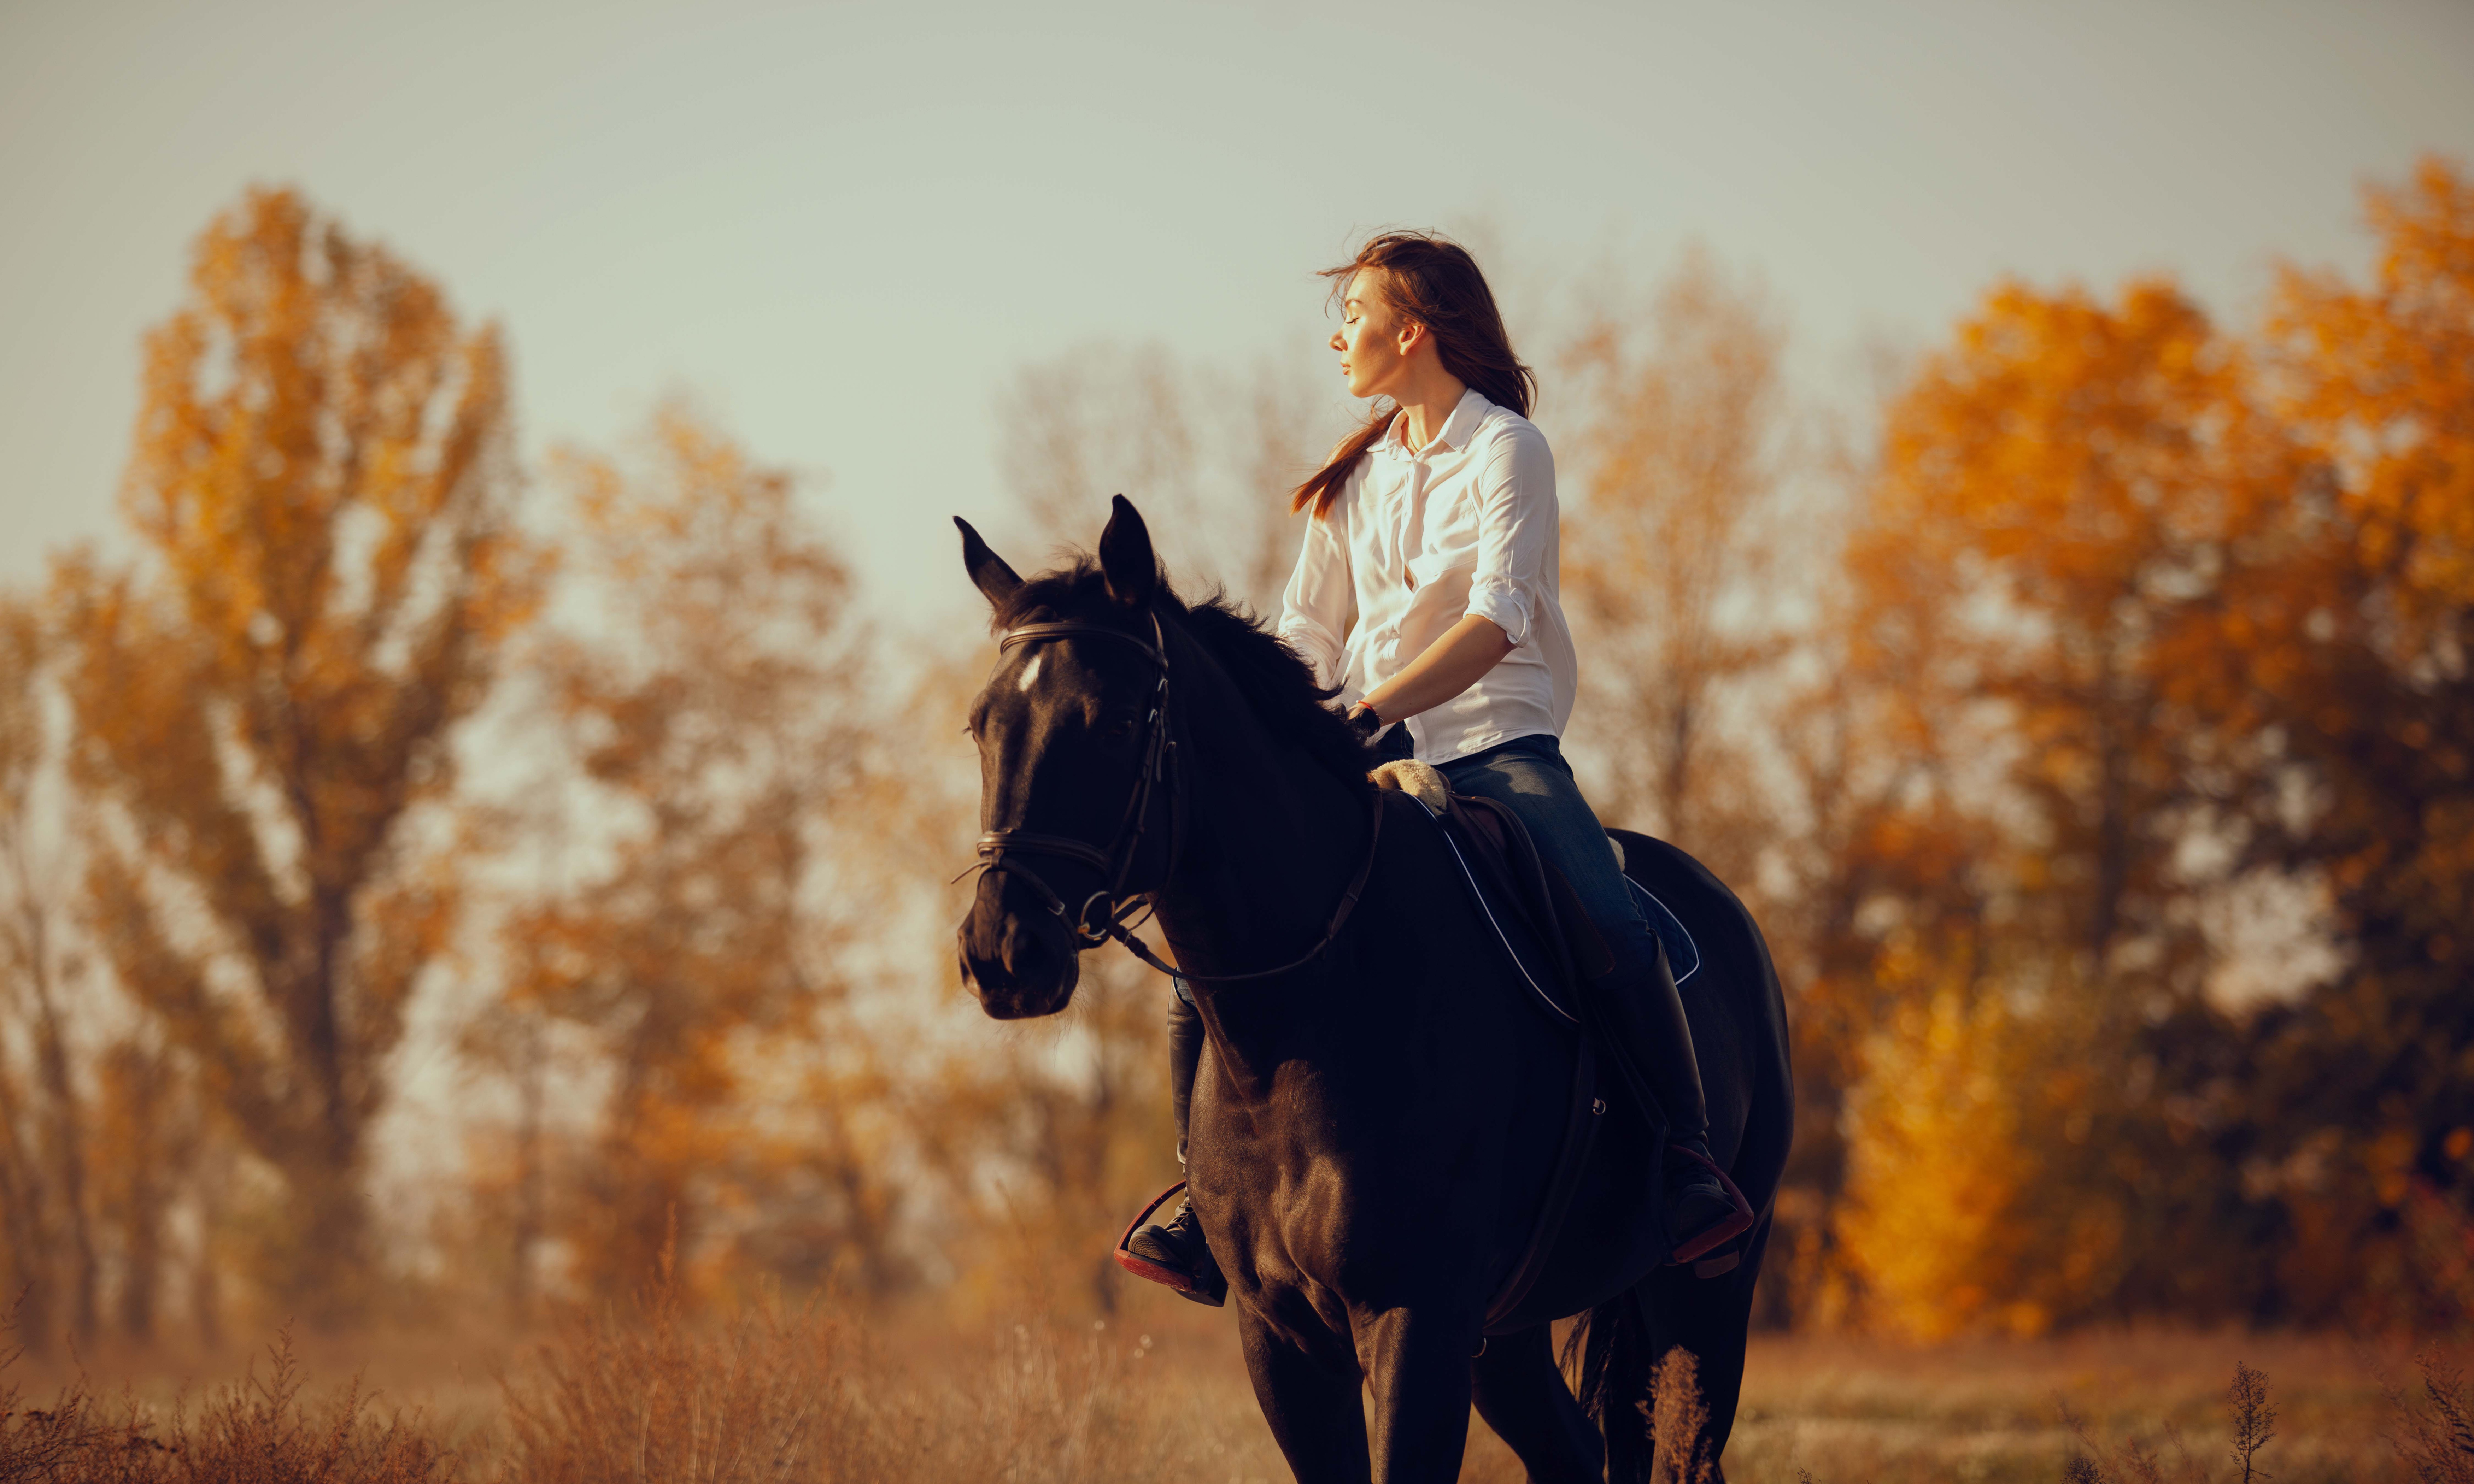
2134, 612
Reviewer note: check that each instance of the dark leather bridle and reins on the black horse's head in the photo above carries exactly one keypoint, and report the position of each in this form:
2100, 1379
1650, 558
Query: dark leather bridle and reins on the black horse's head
1119, 911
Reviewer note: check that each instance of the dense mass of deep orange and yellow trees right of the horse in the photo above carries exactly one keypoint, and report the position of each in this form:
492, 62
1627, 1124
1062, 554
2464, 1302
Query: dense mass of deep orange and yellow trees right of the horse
2176, 610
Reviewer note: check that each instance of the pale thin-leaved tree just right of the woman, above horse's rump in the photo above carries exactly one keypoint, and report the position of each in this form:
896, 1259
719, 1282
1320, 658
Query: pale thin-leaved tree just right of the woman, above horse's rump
1674, 548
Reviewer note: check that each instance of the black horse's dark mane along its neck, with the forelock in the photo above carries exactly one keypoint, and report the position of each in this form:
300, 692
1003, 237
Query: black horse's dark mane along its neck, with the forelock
1273, 679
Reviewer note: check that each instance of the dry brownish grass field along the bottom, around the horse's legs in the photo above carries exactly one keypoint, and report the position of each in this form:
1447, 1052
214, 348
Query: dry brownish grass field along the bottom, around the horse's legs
1159, 1394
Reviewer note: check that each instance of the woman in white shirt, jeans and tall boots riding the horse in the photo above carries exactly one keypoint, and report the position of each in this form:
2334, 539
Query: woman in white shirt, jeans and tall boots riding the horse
1429, 597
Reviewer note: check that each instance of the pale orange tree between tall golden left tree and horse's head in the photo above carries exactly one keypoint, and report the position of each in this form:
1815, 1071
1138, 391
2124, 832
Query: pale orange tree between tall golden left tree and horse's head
706, 681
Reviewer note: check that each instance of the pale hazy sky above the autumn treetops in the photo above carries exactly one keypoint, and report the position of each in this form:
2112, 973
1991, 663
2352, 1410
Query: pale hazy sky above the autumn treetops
847, 226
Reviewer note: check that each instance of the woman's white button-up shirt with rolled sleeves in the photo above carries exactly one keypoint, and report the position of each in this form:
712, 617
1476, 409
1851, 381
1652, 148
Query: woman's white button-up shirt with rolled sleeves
1421, 538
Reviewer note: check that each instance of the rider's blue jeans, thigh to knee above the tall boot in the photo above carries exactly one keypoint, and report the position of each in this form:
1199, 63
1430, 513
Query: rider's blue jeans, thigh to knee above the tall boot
1535, 783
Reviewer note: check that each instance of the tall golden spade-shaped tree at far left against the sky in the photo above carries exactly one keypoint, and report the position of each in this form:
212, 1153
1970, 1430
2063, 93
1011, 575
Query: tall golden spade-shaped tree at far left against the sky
266, 701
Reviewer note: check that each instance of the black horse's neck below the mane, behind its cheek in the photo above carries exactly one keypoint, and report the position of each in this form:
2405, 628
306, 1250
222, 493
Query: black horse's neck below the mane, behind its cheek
1273, 842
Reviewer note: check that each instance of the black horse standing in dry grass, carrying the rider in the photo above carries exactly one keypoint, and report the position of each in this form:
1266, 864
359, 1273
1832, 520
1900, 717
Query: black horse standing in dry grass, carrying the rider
1377, 1119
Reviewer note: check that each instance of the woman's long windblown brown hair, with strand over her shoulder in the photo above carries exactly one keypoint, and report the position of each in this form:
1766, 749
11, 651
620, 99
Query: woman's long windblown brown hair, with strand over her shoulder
1434, 281
